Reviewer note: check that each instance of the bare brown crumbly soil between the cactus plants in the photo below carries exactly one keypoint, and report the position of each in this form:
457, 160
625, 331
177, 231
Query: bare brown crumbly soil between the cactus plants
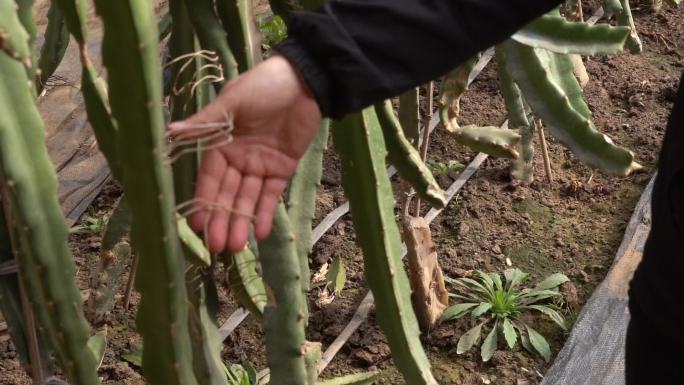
572, 225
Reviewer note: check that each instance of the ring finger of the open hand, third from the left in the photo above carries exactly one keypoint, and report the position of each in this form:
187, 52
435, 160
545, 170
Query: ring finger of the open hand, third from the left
246, 200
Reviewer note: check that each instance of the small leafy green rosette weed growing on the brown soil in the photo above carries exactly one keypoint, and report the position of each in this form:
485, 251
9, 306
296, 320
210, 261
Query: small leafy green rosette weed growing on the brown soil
487, 297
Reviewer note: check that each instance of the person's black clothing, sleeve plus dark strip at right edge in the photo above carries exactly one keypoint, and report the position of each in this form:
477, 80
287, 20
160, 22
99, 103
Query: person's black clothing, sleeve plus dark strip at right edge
354, 53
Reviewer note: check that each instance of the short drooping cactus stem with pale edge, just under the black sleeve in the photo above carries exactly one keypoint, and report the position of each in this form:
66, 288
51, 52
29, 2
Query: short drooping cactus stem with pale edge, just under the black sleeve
406, 158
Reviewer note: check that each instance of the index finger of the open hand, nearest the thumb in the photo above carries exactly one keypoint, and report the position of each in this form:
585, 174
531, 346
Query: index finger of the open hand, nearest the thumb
209, 180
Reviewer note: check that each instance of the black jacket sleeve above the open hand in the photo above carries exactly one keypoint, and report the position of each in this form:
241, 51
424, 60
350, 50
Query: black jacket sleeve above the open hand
352, 53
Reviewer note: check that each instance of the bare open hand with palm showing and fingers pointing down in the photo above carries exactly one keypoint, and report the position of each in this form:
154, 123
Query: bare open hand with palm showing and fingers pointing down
275, 120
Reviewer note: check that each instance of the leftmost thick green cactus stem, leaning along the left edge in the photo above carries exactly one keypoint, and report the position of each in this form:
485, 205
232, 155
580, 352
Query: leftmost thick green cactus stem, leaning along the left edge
39, 234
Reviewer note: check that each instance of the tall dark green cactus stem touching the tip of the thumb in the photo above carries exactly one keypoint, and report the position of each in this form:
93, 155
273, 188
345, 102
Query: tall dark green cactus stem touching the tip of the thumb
130, 54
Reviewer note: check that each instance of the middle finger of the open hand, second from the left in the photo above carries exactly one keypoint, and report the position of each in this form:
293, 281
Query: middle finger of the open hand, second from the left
217, 229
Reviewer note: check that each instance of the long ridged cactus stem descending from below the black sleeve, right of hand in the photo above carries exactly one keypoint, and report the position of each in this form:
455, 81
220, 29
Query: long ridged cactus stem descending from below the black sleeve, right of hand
358, 139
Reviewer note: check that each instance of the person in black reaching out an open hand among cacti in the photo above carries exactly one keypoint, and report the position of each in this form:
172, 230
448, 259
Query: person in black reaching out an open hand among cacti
349, 54
